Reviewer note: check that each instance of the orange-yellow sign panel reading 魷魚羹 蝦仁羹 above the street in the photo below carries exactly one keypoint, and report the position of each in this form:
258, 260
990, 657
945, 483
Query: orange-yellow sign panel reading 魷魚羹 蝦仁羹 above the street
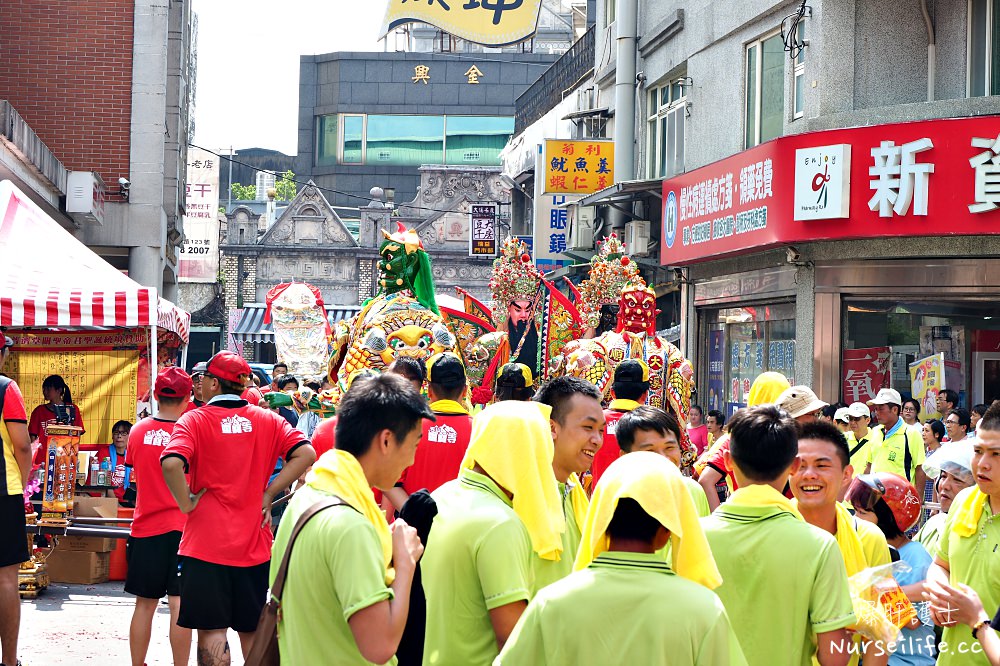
578, 167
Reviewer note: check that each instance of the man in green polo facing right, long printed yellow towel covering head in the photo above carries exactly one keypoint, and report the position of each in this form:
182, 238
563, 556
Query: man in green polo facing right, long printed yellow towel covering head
492, 520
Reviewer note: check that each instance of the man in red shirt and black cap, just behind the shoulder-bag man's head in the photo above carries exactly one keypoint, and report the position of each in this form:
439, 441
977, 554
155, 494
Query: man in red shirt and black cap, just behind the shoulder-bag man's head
444, 441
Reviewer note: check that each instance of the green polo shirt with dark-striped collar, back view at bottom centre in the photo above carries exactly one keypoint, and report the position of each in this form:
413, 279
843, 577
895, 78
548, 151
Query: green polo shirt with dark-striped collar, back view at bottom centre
625, 608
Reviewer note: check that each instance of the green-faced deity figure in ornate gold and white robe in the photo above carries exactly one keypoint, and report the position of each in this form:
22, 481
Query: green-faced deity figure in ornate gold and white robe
401, 320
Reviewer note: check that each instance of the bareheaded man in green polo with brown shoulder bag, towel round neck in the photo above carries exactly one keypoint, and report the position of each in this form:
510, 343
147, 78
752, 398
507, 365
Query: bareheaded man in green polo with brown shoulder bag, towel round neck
337, 606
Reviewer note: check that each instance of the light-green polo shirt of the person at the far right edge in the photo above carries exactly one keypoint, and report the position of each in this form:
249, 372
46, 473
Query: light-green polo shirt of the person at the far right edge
974, 561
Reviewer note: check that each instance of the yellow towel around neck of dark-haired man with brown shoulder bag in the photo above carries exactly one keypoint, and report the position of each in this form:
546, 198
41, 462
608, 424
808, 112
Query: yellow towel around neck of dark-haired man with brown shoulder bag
340, 473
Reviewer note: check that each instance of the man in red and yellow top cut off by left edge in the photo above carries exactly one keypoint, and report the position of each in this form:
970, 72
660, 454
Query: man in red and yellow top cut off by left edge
15, 449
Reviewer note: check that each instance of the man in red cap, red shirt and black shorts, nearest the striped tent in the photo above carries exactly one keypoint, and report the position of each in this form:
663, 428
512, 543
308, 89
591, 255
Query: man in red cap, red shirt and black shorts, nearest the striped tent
151, 550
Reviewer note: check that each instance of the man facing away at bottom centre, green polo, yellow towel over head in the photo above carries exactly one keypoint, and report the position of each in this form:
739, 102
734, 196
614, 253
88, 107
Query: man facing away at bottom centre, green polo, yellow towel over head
627, 606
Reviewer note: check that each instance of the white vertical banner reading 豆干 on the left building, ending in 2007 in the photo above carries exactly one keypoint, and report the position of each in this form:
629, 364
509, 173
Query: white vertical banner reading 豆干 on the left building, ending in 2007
199, 258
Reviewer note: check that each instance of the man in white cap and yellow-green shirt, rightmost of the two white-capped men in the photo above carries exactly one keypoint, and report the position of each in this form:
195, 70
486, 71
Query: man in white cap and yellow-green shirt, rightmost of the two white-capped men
894, 448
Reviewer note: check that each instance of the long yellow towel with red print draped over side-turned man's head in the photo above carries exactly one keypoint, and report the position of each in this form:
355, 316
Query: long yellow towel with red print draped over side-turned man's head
512, 442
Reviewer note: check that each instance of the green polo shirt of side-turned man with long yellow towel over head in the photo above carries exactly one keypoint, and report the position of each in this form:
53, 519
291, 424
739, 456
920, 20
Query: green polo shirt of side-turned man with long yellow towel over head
478, 558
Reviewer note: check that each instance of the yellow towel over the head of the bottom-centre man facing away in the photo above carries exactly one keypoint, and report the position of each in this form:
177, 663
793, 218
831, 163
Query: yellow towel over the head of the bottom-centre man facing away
657, 485
